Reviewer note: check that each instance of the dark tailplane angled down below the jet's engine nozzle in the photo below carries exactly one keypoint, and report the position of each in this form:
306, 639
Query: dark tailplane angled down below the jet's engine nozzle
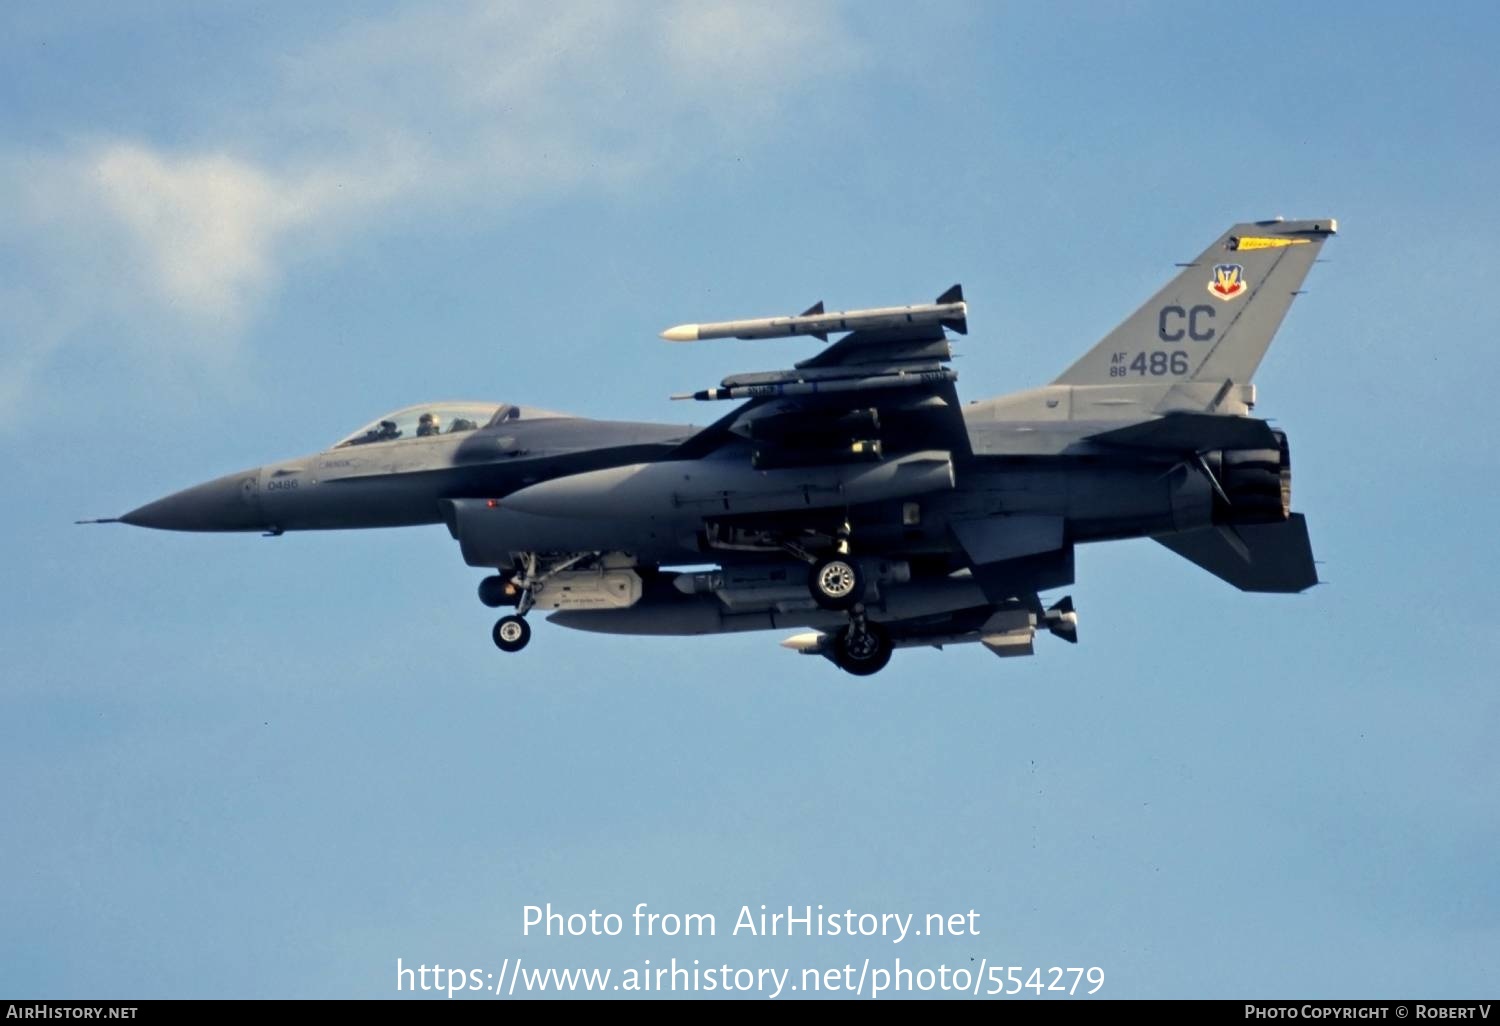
1274, 557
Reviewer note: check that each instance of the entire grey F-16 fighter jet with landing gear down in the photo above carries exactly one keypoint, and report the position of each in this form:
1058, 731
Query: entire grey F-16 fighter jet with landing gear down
853, 496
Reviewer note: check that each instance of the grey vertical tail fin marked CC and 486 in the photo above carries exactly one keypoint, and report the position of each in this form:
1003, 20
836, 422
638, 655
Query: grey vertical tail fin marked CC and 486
1214, 322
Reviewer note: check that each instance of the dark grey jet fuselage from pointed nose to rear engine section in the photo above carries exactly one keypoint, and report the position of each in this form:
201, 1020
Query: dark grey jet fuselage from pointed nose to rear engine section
550, 464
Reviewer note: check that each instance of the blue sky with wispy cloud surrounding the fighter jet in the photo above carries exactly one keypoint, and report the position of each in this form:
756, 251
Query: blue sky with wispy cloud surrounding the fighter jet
247, 767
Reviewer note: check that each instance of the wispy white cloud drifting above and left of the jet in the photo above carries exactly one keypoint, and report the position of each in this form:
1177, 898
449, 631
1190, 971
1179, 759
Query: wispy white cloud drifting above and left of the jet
428, 110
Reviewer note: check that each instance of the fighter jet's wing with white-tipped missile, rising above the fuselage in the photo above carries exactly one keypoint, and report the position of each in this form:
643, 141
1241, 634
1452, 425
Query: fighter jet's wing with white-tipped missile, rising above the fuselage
883, 389
